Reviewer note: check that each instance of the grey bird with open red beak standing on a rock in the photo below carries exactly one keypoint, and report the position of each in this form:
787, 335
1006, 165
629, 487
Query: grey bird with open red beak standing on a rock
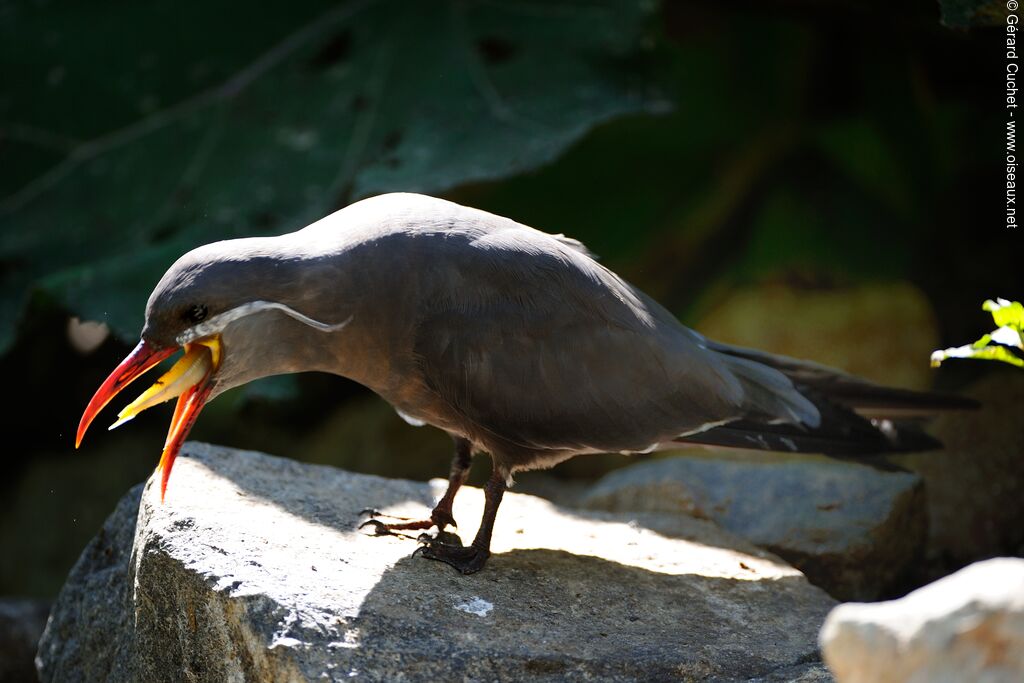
516, 343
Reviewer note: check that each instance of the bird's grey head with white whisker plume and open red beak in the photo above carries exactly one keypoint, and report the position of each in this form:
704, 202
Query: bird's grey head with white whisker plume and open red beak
222, 306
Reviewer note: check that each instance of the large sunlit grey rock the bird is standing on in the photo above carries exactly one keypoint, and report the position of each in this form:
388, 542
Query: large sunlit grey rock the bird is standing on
252, 570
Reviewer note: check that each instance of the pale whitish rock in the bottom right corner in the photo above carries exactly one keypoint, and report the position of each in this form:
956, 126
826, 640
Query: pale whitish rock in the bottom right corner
967, 627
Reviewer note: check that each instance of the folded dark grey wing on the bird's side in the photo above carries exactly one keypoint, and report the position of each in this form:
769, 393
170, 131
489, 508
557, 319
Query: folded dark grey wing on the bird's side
548, 350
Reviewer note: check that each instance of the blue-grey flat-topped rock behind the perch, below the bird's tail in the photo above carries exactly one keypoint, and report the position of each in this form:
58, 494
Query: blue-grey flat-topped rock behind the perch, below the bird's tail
854, 530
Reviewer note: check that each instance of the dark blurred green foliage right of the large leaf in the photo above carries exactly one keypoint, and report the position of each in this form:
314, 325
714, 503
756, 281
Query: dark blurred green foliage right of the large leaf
821, 148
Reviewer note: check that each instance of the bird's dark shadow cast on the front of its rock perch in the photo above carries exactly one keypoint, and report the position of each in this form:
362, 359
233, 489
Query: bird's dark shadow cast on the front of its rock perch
550, 614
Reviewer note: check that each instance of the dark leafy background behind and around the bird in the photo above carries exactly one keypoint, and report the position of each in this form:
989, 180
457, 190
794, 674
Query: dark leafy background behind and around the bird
821, 180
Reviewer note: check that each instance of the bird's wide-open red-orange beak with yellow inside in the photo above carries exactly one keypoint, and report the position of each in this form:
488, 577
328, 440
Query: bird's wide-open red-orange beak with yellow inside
189, 381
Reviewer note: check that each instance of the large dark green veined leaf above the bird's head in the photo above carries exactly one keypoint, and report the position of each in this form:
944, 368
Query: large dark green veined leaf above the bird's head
132, 135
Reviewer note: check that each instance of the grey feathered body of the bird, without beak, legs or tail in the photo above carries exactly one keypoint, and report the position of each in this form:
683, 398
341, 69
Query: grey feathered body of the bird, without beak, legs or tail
475, 324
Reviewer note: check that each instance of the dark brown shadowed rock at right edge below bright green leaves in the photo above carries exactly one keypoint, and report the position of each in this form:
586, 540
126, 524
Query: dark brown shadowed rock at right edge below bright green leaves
976, 485
